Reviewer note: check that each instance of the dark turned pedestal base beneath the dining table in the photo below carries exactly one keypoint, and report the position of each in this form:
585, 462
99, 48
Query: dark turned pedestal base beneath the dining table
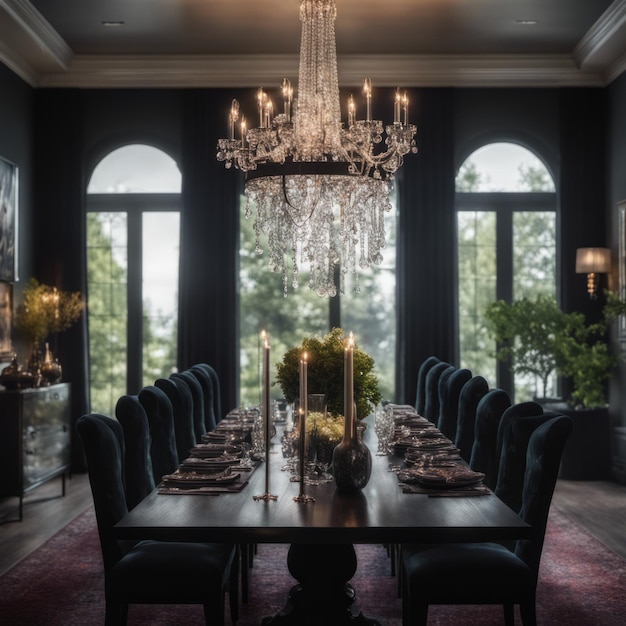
323, 595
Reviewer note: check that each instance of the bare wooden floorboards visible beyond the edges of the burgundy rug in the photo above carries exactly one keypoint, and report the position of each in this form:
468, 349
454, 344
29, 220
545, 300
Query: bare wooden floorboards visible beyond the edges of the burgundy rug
600, 507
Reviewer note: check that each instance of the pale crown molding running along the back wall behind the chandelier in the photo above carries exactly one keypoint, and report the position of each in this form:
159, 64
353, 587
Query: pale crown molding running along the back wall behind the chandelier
384, 70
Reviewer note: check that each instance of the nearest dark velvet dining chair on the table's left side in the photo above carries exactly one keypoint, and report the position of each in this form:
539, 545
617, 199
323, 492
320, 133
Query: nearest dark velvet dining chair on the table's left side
146, 572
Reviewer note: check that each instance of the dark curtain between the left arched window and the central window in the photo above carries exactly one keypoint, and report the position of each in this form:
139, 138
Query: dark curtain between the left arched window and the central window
208, 305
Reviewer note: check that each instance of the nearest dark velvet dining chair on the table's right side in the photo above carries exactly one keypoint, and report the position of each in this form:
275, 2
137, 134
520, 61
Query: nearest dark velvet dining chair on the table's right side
490, 573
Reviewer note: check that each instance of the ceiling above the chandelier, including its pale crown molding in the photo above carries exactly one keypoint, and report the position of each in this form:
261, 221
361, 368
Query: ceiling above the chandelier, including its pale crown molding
241, 43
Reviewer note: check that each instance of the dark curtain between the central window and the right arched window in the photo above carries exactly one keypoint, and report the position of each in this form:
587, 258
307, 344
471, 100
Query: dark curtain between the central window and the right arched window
427, 243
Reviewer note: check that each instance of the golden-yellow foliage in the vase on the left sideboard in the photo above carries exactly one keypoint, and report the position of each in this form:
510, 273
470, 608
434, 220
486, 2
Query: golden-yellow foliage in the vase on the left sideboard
46, 310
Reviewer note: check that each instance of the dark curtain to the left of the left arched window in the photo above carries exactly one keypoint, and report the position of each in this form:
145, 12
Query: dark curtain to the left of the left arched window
59, 231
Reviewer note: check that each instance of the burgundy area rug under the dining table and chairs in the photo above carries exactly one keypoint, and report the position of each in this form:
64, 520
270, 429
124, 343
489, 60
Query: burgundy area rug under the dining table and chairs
581, 583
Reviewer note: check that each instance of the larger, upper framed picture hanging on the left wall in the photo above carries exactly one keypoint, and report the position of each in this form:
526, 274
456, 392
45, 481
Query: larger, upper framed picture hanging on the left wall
8, 220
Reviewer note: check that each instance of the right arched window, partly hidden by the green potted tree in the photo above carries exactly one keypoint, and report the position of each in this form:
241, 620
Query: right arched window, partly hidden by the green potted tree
506, 228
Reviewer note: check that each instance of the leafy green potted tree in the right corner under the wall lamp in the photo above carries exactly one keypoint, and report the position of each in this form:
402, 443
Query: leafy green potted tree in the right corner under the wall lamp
539, 339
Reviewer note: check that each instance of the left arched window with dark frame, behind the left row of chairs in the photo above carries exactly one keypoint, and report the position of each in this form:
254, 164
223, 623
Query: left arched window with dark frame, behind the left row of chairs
133, 222
